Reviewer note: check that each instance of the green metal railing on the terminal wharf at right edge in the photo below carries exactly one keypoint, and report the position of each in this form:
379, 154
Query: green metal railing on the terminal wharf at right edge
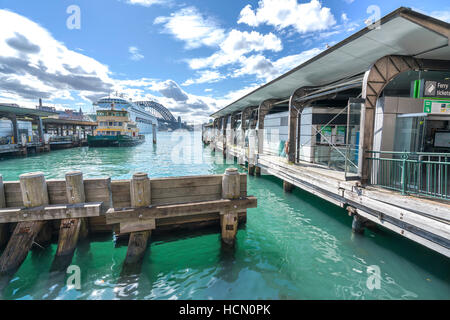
420, 173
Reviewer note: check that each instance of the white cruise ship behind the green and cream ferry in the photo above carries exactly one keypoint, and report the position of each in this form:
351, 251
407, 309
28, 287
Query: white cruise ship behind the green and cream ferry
137, 113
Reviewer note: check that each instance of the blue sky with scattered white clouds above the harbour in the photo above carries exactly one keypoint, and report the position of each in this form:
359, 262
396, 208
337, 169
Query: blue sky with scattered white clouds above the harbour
193, 56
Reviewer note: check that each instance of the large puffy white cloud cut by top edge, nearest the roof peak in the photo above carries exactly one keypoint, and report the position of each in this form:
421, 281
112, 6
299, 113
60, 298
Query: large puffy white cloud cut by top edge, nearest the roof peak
303, 17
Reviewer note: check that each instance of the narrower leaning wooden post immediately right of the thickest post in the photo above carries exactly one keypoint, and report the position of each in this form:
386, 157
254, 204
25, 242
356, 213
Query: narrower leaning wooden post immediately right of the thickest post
71, 230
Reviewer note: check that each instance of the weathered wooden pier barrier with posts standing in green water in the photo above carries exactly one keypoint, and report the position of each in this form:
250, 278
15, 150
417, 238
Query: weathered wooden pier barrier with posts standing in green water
136, 207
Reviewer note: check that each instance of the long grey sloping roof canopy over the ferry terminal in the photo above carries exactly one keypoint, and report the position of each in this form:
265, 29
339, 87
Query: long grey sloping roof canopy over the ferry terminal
402, 32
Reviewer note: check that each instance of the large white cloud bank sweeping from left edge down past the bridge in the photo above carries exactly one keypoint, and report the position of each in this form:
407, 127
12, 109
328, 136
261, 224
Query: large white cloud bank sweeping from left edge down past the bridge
34, 65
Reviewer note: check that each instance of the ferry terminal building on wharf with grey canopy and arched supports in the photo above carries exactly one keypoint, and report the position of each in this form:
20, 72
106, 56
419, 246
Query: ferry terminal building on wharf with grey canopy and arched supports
365, 125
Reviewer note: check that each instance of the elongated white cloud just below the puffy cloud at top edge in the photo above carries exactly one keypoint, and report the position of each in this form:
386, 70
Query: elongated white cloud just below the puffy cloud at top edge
236, 45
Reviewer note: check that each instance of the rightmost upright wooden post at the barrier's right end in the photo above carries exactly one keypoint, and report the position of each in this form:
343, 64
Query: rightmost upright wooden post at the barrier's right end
231, 189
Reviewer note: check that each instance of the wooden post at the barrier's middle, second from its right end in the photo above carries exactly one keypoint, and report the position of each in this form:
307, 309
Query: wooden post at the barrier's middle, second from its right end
140, 190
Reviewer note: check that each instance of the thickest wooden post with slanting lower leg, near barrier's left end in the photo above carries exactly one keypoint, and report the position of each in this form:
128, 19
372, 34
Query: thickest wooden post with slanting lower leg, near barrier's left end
34, 194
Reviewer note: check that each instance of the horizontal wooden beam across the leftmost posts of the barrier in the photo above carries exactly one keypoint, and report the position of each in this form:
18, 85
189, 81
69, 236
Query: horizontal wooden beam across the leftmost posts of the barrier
50, 212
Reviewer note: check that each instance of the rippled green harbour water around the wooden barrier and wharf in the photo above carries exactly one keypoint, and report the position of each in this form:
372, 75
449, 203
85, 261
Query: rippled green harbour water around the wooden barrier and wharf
293, 246
